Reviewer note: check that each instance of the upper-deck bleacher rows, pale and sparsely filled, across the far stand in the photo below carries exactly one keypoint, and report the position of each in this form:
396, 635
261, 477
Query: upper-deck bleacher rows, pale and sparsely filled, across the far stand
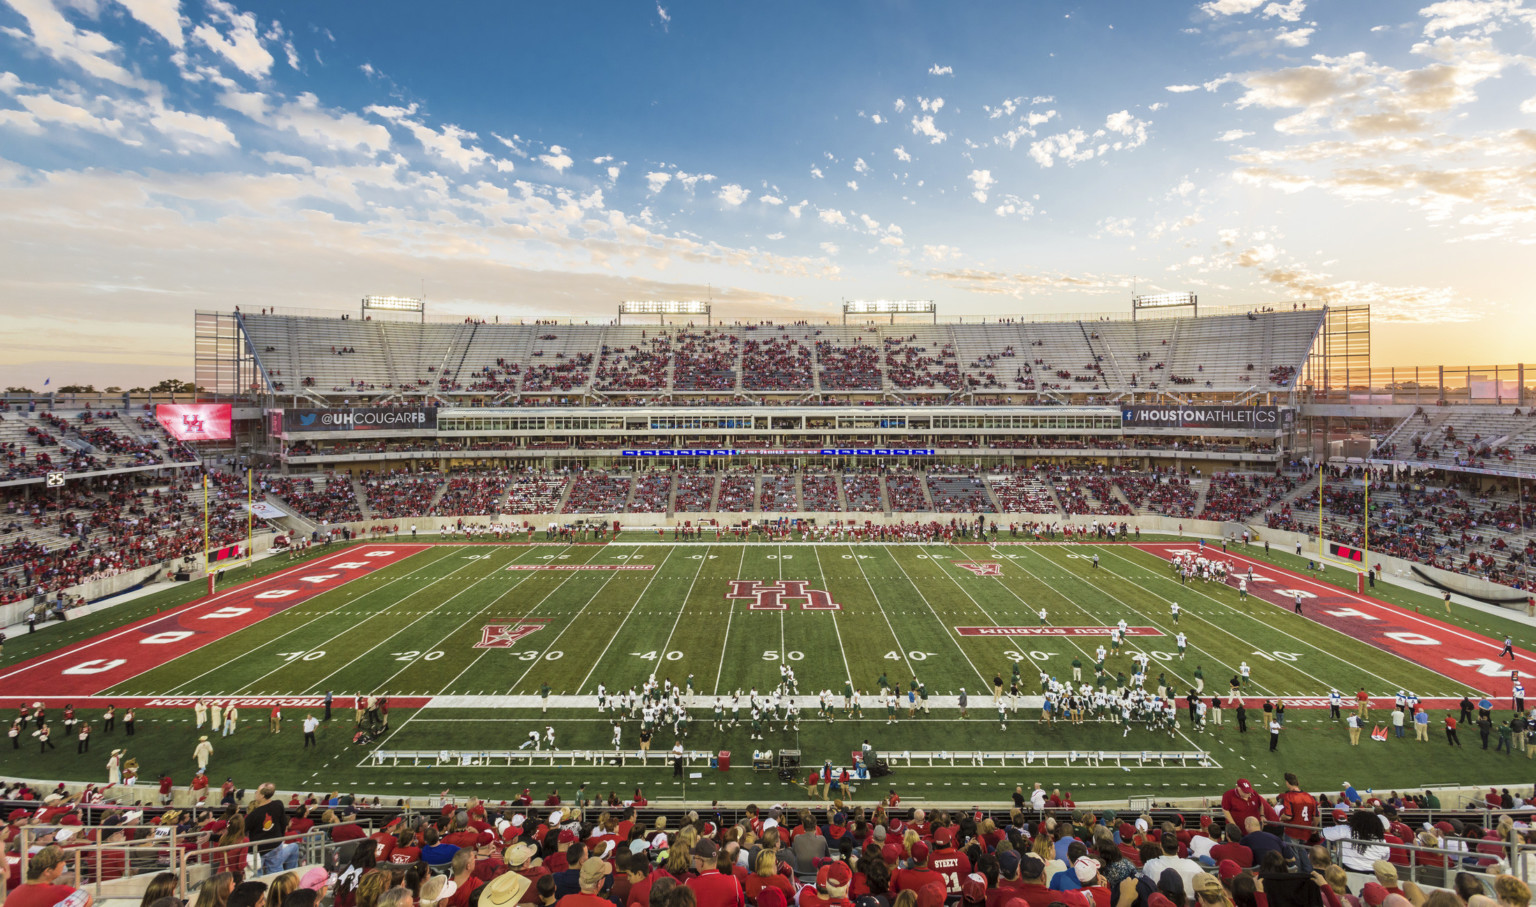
379, 360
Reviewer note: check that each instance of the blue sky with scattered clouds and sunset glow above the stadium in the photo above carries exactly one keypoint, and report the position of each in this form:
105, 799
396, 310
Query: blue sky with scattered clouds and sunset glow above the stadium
526, 161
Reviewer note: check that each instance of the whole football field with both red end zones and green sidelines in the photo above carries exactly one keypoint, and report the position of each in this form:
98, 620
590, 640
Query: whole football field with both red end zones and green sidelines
465, 639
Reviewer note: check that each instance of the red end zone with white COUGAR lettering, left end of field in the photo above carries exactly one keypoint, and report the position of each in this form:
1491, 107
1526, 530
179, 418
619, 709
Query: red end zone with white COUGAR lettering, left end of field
105, 662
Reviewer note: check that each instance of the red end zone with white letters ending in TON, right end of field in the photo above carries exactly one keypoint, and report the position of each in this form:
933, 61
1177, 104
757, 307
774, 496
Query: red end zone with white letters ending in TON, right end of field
1466, 657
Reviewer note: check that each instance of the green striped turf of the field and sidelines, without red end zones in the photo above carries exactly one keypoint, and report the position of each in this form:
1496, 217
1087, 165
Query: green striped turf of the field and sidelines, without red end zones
412, 630
